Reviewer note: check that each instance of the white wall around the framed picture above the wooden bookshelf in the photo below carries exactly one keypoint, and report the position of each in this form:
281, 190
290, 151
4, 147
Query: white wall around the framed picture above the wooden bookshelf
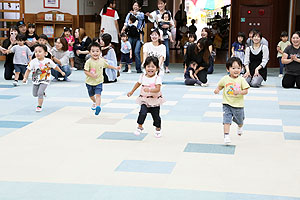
36, 6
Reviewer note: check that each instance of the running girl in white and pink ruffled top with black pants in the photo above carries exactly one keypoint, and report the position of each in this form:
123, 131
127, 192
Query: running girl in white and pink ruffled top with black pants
150, 97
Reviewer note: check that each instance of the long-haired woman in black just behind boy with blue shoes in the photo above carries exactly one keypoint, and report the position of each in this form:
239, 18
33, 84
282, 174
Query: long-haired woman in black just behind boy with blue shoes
80, 47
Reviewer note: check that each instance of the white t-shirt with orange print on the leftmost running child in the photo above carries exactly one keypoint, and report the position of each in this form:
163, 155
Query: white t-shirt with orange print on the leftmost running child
41, 70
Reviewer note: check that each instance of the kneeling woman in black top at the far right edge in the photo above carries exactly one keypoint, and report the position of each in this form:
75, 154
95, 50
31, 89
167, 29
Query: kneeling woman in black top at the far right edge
291, 59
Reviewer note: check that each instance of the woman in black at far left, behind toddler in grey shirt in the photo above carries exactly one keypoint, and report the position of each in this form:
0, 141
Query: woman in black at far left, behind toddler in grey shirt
9, 65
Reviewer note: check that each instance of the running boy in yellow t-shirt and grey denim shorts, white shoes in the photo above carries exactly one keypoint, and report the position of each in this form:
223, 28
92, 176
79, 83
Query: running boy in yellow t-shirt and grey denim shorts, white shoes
235, 87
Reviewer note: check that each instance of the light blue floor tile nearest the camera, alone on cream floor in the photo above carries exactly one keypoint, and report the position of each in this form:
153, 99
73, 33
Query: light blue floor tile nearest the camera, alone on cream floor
144, 166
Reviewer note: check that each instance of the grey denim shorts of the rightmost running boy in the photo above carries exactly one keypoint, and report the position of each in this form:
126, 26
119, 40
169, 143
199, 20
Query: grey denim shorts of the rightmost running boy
233, 114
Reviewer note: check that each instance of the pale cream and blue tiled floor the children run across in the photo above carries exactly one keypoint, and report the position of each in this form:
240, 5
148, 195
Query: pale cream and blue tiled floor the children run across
67, 153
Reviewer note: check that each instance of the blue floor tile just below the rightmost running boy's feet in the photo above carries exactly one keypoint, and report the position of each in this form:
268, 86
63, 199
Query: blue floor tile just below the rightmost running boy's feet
210, 148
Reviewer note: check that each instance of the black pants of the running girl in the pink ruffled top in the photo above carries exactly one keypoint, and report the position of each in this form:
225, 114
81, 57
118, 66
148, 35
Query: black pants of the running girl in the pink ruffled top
154, 112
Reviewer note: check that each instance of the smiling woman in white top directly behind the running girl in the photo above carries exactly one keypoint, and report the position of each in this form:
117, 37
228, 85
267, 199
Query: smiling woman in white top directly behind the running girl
154, 48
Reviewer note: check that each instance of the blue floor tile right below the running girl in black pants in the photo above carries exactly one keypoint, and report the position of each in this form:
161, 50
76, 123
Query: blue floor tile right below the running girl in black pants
122, 136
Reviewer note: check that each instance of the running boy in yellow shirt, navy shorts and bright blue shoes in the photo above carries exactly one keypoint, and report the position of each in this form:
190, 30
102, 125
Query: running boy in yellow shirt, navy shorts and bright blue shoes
93, 70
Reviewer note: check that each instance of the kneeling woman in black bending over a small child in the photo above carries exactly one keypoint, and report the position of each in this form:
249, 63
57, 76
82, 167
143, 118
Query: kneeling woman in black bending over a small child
199, 53
